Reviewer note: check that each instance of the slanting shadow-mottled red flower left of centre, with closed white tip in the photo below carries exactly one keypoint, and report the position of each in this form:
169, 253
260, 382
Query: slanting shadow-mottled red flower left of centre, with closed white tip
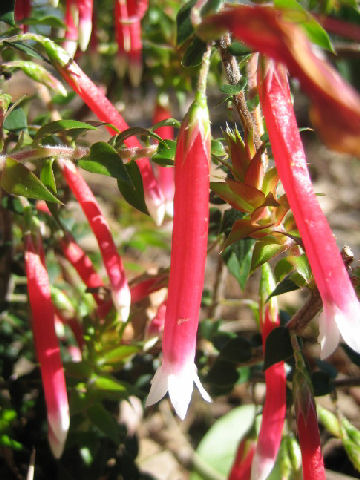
100, 227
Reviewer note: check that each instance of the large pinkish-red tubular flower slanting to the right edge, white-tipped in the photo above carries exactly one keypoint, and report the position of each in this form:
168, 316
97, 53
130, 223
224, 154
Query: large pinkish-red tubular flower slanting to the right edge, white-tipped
341, 309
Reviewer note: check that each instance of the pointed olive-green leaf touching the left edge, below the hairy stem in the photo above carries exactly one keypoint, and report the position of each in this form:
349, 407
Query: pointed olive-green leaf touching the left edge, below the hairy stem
18, 180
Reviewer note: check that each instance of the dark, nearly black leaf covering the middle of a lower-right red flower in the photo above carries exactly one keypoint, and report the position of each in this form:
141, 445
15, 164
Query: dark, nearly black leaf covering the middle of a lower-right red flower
277, 347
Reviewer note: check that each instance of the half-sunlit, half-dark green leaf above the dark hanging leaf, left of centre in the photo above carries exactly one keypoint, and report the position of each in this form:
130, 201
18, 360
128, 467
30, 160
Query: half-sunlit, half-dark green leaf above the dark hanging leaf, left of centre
105, 160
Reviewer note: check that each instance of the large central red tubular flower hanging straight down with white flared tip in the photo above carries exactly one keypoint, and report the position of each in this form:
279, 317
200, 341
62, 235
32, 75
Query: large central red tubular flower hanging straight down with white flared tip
187, 265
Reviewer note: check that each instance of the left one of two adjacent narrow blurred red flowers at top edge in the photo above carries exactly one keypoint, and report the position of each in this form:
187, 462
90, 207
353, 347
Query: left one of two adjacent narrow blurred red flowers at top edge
122, 34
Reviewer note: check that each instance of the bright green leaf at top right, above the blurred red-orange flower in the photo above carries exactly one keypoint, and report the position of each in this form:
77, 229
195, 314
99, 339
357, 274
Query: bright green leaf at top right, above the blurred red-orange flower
315, 32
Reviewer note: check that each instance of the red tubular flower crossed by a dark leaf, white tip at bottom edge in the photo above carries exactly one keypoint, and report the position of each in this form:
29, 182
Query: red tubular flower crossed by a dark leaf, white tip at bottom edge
274, 410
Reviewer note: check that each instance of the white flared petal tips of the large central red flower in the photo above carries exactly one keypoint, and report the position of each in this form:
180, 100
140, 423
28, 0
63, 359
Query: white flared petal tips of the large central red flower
179, 384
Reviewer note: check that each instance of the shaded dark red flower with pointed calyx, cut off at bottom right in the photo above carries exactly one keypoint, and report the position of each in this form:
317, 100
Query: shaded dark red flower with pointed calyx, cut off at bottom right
306, 419
